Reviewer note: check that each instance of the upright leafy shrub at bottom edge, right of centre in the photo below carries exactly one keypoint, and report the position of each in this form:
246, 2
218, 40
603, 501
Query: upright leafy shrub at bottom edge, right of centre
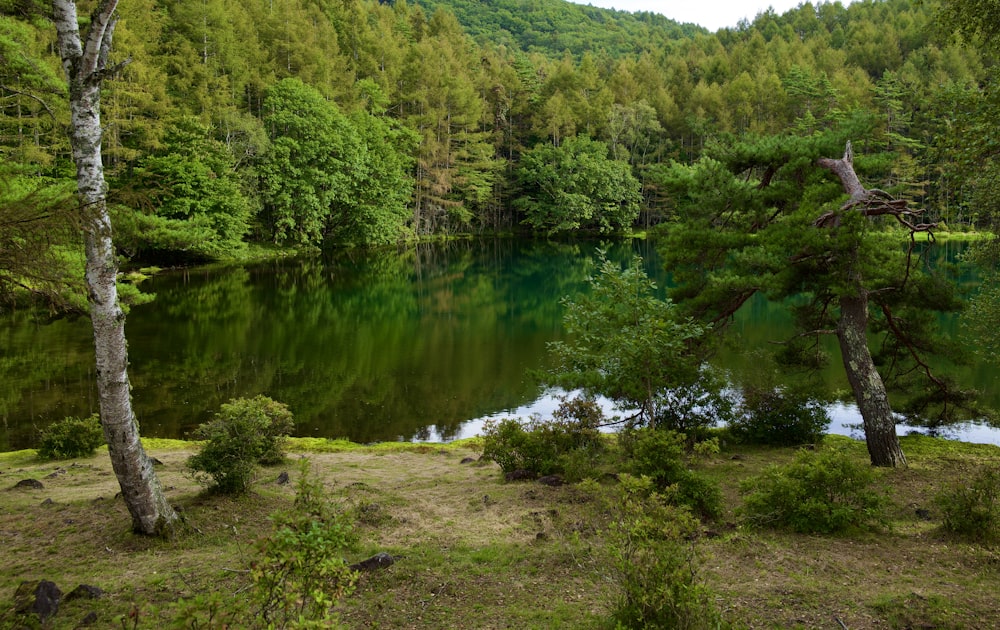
654, 562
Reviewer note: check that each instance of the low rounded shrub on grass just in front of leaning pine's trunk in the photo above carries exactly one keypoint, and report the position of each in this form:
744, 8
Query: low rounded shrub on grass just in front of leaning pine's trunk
822, 492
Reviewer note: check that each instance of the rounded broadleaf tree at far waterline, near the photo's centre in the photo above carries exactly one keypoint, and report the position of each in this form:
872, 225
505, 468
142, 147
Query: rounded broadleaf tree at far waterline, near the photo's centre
576, 185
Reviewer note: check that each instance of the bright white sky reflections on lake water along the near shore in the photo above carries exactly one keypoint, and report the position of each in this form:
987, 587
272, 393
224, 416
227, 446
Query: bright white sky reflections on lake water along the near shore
845, 420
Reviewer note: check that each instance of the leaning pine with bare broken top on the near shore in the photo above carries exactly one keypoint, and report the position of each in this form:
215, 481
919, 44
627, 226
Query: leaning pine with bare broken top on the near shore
765, 216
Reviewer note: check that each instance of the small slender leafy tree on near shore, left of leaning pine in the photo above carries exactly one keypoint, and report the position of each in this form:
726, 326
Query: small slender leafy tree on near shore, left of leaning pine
625, 343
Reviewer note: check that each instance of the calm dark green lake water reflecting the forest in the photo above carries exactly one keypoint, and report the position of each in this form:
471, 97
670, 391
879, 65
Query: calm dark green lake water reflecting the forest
420, 344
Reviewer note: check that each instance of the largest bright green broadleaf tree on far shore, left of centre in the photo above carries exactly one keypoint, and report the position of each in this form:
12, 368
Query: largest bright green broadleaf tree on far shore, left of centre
327, 175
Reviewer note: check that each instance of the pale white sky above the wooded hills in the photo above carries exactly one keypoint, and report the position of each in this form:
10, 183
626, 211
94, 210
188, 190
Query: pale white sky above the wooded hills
712, 14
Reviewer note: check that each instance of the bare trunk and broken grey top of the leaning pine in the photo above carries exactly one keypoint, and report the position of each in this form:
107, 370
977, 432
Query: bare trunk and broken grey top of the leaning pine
866, 383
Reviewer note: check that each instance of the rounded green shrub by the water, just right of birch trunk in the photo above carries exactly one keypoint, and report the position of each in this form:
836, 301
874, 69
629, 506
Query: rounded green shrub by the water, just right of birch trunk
245, 433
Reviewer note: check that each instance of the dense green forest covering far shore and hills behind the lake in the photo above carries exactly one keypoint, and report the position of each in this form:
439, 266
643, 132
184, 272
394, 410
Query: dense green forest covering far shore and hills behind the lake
353, 122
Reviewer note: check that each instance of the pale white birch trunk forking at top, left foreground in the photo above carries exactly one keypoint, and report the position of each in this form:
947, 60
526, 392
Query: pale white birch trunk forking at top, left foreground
85, 64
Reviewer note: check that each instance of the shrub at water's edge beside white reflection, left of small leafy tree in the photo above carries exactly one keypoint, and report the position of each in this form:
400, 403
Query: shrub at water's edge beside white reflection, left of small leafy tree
545, 447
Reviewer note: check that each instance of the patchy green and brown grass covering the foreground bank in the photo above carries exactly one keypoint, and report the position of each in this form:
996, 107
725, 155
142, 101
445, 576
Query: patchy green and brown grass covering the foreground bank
475, 552
